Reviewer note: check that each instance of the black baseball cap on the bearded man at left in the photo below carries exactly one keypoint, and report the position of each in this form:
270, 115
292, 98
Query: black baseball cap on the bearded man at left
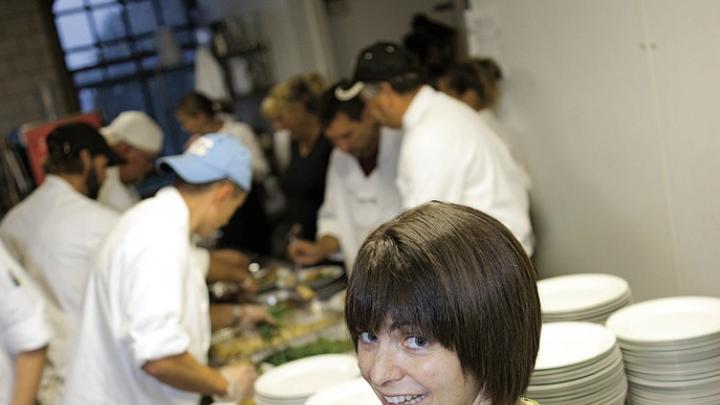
70, 139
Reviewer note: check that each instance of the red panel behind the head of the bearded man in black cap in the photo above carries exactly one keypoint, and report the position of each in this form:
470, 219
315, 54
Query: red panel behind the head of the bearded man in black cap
35, 140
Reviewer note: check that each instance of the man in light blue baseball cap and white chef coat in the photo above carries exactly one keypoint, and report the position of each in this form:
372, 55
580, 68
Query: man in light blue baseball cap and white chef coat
146, 328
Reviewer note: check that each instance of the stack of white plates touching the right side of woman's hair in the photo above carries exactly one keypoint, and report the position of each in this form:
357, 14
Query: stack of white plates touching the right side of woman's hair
578, 363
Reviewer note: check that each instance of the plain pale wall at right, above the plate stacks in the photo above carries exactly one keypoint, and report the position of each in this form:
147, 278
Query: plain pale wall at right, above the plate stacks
613, 104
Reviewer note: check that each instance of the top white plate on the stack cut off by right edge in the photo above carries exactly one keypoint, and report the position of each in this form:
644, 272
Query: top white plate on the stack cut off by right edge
667, 320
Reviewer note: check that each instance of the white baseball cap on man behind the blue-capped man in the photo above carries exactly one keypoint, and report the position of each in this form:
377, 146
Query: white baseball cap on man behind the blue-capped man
136, 129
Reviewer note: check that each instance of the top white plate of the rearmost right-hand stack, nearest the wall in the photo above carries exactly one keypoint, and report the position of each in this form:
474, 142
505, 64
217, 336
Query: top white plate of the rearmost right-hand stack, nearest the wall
580, 292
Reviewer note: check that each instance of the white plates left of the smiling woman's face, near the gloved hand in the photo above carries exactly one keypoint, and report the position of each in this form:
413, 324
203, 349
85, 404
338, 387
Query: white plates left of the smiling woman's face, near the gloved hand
294, 382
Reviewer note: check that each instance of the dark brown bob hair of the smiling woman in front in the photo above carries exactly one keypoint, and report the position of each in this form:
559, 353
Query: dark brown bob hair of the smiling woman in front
458, 277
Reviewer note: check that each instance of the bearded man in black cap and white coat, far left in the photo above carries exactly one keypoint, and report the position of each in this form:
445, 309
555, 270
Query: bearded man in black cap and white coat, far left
55, 232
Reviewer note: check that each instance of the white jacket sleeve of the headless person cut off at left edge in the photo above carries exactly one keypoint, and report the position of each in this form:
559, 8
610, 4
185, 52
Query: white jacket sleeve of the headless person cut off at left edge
23, 326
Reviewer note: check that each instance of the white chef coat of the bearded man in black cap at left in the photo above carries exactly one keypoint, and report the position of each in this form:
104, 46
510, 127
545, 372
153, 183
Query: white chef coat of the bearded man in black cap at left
54, 234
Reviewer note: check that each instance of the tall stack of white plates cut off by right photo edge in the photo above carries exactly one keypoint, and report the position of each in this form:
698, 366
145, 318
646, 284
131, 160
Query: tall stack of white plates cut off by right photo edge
671, 348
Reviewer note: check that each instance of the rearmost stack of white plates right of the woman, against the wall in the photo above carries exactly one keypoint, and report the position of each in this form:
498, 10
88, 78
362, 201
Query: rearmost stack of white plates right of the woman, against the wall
582, 297
